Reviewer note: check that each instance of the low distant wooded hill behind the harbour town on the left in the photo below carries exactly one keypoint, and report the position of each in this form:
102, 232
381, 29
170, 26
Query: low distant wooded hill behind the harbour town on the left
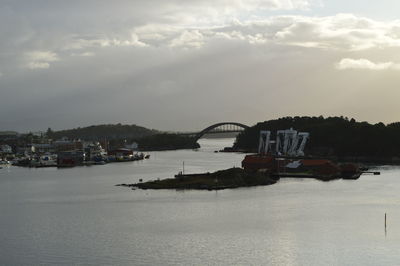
100, 132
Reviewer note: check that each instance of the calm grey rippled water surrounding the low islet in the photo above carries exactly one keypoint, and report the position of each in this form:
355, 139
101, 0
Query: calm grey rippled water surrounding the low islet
78, 217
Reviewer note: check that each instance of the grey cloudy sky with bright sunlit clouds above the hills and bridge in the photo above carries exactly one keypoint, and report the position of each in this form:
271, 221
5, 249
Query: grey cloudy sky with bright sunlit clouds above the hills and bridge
185, 64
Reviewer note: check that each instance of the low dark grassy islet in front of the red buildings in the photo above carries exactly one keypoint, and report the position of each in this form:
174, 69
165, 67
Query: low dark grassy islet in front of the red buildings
230, 178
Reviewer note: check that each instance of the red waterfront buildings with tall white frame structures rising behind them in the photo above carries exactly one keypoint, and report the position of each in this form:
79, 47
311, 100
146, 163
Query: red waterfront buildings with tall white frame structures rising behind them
284, 157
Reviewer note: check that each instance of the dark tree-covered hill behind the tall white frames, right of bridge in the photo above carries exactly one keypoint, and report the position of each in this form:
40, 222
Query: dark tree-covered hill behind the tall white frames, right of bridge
332, 136
